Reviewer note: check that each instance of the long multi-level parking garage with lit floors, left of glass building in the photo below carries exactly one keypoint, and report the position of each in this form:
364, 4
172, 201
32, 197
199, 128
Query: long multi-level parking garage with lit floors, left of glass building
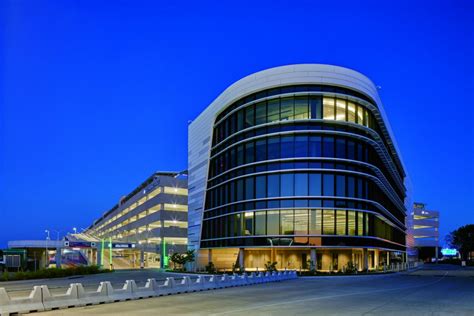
153, 219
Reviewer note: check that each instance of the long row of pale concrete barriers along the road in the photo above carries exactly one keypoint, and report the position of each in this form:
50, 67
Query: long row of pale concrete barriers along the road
40, 298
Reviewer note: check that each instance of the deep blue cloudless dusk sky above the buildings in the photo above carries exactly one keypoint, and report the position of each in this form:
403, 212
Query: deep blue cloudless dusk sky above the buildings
96, 95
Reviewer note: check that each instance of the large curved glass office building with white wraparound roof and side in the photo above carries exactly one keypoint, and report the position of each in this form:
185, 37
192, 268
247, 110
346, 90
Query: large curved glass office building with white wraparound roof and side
298, 165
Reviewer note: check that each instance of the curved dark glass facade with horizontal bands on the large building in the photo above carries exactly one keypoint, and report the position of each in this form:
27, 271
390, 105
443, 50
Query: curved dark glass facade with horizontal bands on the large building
303, 166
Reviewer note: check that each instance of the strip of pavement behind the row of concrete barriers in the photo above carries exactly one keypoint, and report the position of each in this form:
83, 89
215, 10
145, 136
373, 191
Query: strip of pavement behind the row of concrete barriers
90, 282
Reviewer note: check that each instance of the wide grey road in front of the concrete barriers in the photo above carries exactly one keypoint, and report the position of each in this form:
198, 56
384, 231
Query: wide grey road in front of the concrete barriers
432, 290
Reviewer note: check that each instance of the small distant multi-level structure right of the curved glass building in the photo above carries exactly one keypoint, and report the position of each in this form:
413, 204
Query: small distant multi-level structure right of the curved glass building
423, 233
